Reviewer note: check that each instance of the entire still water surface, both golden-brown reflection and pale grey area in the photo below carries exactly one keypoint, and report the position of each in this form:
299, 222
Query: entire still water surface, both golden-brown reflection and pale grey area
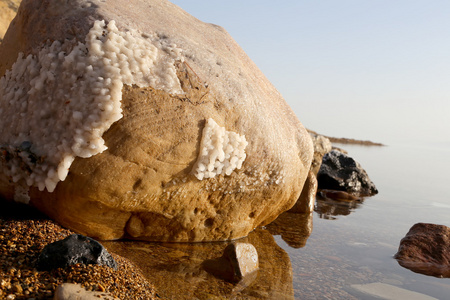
341, 251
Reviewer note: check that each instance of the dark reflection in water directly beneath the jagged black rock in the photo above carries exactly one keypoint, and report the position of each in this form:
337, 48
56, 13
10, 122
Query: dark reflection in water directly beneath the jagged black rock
329, 205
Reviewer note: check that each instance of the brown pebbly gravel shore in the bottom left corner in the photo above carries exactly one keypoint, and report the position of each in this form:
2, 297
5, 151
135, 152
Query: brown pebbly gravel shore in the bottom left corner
23, 234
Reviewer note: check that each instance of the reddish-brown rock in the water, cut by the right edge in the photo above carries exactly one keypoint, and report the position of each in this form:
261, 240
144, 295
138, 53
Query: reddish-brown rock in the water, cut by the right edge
426, 249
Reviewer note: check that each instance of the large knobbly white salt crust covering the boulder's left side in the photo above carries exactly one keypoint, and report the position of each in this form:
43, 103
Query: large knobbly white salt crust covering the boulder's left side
56, 106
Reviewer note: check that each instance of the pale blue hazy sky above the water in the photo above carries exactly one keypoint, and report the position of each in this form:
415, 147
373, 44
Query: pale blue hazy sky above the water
365, 69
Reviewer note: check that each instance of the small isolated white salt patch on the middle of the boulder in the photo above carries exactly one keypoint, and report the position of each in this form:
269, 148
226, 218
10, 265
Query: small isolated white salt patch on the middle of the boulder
221, 151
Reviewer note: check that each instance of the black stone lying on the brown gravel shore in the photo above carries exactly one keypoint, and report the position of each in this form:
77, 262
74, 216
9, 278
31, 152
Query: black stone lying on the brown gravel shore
72, 250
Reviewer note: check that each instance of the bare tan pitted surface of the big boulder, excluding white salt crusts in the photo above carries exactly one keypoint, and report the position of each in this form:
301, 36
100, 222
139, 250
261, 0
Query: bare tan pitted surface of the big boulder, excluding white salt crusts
142, 186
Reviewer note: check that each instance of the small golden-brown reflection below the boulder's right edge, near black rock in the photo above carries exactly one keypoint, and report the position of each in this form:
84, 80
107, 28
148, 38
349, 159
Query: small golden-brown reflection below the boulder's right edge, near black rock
294, 228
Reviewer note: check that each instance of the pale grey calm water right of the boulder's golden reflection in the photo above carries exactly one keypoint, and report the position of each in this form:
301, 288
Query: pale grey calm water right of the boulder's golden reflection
356, 245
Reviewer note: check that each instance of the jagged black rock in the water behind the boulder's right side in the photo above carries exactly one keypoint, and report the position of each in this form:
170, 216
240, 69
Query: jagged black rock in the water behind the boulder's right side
341, 172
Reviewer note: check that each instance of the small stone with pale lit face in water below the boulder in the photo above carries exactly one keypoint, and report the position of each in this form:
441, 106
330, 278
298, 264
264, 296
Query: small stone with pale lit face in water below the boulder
238, 262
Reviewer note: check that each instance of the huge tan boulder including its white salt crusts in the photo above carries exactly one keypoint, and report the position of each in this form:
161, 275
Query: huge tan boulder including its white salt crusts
133, 119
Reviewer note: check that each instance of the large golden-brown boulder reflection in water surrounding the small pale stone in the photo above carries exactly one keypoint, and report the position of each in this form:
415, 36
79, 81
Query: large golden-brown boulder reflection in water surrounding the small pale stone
177, 273
